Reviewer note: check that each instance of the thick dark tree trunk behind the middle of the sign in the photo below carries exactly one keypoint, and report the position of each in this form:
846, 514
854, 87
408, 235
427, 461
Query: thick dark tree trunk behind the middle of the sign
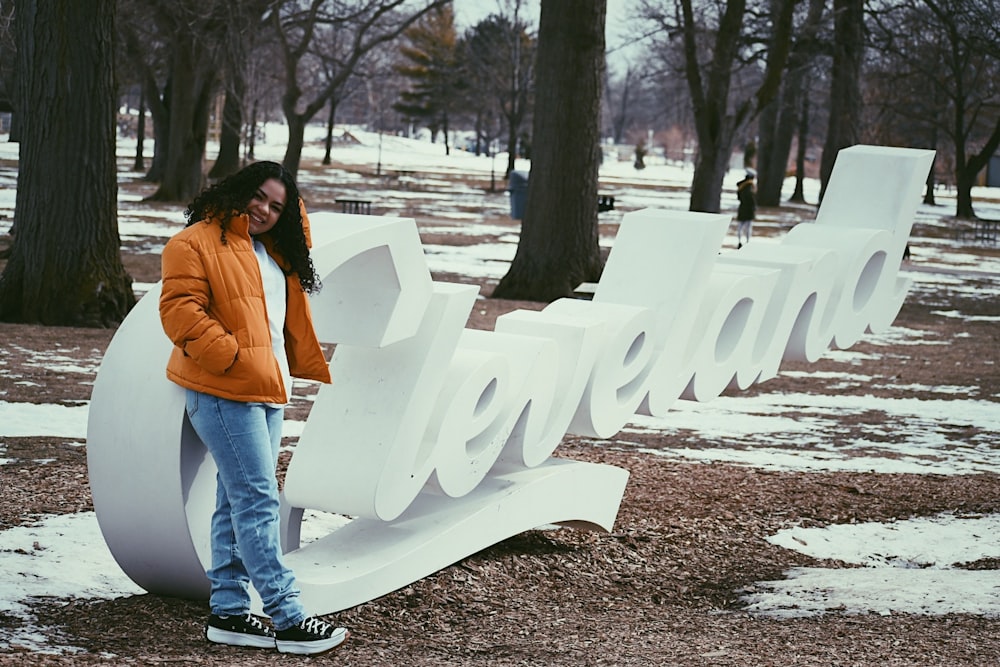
558, 248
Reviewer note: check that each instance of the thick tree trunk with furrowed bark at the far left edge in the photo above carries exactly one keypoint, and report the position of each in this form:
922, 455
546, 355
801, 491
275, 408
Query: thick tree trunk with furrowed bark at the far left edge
65, 267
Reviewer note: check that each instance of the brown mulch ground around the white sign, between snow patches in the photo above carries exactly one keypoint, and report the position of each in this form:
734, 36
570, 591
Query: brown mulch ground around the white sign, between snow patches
662, 589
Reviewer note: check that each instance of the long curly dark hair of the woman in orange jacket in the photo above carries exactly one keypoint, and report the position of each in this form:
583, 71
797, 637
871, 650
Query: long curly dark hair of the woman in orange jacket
231, 196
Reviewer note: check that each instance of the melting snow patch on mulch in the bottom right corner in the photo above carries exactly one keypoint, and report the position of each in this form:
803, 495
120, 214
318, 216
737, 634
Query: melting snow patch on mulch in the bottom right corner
904, 567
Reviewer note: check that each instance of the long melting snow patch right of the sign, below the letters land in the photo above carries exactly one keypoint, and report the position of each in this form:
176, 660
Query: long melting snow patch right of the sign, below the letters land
793, 432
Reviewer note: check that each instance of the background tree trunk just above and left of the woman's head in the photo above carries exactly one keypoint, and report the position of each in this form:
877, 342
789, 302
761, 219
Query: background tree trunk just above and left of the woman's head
192, 80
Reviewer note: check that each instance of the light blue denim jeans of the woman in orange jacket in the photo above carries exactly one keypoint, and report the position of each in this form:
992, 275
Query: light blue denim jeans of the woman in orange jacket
243, 438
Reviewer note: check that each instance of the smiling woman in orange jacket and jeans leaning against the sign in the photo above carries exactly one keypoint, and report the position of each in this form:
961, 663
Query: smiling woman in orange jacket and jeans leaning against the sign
234, 304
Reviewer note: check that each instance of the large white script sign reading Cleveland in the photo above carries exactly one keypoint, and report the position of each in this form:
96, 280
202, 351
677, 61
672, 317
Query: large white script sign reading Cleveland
437, 440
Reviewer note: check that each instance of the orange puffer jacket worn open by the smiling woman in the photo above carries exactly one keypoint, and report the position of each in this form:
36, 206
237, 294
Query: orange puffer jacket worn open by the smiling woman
212, 308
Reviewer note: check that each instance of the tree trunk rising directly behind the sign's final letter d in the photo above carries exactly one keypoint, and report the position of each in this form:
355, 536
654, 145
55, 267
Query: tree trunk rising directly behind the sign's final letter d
845, 84
